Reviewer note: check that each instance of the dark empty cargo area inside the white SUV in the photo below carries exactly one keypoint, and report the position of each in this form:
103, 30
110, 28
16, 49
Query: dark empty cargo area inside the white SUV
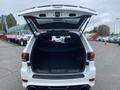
58, 53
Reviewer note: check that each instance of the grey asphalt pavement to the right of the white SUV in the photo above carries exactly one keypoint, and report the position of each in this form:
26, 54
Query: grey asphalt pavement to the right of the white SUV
108, 66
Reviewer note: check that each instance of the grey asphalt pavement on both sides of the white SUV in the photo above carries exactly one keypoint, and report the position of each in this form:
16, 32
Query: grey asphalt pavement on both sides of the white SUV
107, 63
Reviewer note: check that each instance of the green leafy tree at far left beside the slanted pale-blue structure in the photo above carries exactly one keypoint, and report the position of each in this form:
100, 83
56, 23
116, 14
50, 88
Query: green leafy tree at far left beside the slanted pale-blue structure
11, 21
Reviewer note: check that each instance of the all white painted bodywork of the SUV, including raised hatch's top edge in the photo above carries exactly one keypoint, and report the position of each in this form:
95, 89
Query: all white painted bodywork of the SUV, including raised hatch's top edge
26, 71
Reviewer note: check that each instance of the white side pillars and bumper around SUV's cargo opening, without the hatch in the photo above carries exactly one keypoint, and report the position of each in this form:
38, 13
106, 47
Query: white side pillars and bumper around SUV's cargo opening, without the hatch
90, 71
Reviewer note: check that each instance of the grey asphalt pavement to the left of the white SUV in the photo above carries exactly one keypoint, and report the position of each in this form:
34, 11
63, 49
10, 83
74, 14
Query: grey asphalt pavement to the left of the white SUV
10, 64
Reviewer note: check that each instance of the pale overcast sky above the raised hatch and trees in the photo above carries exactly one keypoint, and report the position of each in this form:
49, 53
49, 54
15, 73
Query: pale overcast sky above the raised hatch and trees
108, 10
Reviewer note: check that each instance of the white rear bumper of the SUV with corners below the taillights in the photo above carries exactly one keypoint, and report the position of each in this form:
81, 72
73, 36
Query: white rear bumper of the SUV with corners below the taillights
89, 73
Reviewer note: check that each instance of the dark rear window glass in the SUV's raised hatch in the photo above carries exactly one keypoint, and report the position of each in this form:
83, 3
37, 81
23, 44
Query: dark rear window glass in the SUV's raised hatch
59, 23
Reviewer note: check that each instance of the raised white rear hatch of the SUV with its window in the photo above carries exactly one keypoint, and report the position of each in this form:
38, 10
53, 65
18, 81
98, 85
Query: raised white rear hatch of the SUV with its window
57, 17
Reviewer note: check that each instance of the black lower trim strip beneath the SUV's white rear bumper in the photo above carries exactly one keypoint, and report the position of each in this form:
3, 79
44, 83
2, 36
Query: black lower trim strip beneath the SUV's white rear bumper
80, 87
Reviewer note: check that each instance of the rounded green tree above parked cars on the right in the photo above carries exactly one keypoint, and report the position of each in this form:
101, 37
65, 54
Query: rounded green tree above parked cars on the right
103, 30
